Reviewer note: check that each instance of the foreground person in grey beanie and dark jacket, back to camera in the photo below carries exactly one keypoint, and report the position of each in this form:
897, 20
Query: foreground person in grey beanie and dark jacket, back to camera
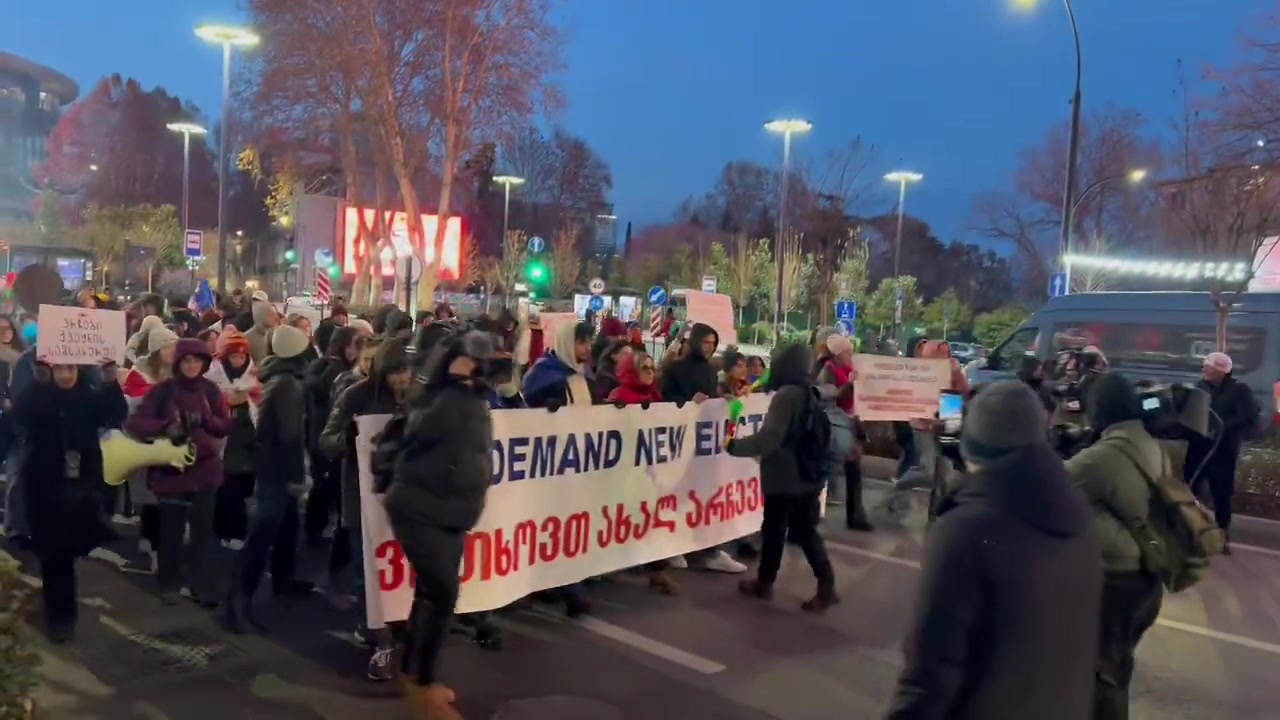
1007, 613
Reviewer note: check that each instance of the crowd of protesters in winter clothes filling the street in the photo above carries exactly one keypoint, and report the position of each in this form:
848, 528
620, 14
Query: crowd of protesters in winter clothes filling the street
268, 403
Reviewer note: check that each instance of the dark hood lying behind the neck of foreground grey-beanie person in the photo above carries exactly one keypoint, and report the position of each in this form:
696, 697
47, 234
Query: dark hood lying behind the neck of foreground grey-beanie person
1031, 485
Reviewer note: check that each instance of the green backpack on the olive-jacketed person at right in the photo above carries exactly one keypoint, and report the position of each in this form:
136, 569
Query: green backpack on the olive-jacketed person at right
1181, 536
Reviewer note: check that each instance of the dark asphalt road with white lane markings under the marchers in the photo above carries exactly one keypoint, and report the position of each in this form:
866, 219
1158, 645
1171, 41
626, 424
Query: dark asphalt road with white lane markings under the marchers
707, 655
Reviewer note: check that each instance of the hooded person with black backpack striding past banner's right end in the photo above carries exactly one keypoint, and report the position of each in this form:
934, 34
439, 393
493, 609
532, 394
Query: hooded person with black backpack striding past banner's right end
792, 496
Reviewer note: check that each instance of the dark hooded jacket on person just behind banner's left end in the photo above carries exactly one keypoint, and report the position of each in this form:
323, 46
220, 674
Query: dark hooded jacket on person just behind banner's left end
367, 397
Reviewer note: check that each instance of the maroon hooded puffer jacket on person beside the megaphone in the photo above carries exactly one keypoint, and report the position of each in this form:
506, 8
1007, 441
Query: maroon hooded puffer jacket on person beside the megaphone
198, 408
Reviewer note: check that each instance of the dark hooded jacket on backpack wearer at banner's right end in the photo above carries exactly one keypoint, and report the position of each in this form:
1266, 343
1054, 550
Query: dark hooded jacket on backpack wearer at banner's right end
775, 441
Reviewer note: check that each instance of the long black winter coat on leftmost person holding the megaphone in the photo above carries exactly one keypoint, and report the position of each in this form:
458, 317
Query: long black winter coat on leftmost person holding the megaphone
66, 514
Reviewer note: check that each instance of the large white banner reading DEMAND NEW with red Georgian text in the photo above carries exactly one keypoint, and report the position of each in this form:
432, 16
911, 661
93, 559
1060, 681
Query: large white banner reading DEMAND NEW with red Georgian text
580, 493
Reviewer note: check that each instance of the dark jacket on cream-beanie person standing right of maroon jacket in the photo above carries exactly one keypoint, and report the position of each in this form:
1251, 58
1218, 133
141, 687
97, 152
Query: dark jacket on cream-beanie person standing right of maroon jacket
281, 432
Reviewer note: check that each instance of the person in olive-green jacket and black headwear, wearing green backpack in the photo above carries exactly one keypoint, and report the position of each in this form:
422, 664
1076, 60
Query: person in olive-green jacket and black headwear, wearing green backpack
1113, 475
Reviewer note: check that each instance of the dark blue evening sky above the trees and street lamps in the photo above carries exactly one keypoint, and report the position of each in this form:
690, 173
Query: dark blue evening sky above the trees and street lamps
670, 90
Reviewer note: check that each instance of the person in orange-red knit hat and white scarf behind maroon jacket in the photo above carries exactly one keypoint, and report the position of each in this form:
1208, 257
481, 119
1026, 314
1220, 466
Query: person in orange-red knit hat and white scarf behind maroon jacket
234, 372
